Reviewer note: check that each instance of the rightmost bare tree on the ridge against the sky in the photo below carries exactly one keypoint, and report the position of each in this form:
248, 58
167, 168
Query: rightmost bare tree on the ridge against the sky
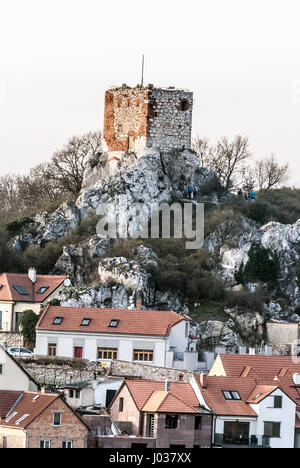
270, 174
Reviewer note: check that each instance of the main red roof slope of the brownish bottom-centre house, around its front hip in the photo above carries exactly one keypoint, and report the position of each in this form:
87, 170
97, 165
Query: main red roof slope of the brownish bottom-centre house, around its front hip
141, 391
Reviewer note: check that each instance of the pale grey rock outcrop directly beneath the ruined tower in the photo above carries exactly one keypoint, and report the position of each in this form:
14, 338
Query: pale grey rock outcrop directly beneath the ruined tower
150, 180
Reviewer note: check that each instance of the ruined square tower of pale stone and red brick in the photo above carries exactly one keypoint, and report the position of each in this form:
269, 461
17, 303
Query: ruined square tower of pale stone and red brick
147, 117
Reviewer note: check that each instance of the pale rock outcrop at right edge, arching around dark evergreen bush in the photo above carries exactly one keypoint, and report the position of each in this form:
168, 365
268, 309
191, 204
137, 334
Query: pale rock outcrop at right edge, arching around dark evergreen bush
232, 251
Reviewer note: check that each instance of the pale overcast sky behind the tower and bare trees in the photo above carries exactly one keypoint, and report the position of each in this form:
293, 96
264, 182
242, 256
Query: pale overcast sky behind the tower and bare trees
240, 58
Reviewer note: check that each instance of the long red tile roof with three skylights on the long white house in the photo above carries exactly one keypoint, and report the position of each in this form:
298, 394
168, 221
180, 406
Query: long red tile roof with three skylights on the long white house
136, 321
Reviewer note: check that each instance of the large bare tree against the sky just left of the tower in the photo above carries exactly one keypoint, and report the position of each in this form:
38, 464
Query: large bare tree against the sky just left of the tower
67, 166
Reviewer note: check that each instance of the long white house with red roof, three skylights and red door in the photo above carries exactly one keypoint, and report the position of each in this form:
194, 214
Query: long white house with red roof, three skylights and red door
137, 335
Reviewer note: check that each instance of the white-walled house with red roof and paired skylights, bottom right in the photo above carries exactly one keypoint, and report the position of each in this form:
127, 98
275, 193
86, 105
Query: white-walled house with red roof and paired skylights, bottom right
248, 413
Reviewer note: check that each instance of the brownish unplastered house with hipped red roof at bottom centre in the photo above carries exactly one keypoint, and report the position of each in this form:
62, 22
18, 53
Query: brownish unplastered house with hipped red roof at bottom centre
167, 412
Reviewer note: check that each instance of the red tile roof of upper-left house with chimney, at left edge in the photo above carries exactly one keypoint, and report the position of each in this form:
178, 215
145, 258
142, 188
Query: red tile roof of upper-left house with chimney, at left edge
9, 293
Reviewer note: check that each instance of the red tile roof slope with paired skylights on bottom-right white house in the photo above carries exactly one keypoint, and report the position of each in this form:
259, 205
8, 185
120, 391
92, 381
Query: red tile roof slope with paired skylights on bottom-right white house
212, 390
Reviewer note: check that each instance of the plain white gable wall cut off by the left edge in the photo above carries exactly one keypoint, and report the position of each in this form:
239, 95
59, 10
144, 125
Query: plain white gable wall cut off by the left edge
13, 376
